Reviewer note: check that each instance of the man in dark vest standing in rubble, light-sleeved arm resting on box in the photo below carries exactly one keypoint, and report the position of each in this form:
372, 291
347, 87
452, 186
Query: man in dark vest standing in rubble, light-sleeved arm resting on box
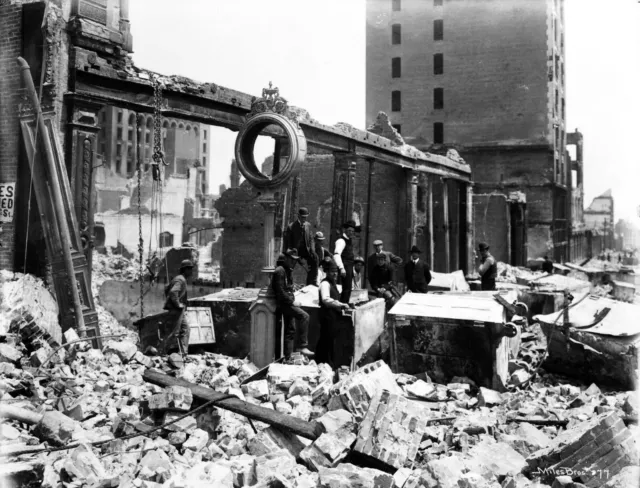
330, 308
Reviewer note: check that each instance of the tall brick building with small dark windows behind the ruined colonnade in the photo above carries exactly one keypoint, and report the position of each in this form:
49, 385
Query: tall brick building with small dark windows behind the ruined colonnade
485, 77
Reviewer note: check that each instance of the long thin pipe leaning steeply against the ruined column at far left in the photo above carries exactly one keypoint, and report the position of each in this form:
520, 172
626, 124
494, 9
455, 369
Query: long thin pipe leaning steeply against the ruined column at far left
57, 196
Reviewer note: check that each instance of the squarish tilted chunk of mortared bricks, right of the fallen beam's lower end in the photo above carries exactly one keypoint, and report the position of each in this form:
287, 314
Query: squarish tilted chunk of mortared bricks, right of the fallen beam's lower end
392, 429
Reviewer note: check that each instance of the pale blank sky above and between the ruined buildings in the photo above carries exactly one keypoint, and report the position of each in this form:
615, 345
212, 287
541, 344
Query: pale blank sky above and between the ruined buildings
314, 51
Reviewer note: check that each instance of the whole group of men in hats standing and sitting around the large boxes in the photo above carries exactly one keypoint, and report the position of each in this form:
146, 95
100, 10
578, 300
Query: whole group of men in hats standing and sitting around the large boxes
342, 266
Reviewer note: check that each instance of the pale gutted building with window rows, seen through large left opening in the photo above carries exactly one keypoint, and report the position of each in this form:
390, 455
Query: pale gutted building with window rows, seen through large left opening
186, 206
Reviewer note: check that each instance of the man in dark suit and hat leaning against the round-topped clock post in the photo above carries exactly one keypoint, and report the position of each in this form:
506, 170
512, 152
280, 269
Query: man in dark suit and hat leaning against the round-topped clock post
282, 286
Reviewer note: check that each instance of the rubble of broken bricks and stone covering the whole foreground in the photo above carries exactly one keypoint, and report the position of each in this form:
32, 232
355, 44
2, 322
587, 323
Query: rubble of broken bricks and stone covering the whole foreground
86, 417
